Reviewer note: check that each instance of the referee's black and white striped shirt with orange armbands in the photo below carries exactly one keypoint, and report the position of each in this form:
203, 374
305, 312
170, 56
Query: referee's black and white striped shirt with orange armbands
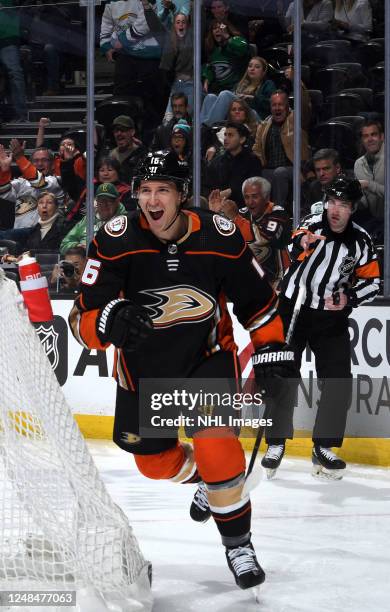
343, 261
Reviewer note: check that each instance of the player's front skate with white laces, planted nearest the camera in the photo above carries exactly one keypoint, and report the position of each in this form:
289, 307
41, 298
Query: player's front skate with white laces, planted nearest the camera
243, 564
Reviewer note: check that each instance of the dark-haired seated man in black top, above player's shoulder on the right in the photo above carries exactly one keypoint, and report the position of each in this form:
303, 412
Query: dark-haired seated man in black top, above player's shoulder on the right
237, 163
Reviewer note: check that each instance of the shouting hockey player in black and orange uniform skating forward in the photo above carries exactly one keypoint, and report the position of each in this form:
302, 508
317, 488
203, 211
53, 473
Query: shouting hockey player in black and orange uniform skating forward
154, 286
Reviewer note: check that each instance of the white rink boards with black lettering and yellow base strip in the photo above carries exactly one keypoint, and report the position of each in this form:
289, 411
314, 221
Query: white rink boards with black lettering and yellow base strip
85, 377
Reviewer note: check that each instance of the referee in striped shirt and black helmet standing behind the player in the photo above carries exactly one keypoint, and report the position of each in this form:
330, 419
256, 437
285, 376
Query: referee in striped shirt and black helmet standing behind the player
334, 260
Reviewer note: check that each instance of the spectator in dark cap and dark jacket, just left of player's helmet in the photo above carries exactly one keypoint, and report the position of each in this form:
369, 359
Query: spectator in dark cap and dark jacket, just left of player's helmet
129, 150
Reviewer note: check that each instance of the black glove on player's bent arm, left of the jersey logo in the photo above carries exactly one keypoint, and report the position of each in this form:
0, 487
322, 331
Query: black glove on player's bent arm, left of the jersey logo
124, 324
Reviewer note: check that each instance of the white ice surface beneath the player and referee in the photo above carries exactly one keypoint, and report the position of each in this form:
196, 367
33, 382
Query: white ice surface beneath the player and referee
325, 546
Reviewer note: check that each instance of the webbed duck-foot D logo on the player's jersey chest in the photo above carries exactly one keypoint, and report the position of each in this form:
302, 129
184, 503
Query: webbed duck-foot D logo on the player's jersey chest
179, 304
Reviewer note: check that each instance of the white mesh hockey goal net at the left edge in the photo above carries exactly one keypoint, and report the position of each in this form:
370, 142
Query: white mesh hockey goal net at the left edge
59, 528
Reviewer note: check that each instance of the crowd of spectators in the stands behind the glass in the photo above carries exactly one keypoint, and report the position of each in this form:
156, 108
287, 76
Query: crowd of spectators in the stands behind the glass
247, 116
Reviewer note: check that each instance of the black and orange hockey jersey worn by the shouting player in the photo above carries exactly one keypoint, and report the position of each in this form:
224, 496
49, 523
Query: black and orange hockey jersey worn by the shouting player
184, 286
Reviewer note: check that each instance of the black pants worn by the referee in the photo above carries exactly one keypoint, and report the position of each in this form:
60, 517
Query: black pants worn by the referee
326, 333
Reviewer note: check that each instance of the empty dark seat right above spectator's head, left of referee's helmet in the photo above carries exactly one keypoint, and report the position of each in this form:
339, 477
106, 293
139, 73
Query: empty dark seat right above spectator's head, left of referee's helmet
339, 136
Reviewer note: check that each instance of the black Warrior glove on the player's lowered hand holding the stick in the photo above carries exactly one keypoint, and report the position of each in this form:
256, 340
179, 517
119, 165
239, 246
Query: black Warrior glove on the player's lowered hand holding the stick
271, 364
